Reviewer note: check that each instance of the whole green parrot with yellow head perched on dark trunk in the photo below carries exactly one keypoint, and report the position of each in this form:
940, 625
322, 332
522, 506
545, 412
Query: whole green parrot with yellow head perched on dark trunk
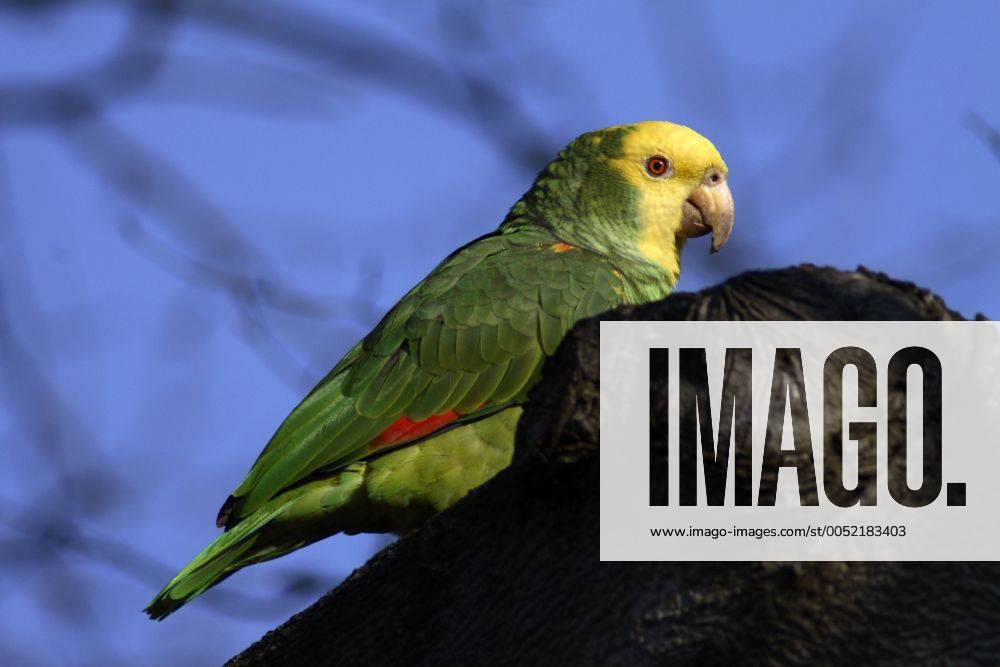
424, 408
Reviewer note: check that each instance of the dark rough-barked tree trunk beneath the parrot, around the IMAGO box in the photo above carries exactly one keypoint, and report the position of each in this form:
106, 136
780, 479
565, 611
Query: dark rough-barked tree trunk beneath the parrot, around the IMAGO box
511, 574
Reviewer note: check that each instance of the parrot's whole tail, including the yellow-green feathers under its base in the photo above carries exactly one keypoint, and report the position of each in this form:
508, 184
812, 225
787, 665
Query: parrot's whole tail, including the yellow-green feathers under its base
294, 519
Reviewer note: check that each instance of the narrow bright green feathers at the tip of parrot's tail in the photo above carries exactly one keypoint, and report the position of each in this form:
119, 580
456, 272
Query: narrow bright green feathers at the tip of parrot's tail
226, 554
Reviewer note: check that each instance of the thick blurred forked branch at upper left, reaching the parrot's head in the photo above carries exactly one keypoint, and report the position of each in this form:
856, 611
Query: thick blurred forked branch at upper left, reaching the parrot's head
77, 107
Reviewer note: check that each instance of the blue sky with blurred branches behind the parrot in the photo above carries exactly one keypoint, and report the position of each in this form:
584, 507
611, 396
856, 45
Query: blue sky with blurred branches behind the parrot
202, 206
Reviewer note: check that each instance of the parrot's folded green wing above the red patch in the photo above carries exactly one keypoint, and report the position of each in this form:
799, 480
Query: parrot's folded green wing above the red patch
470, 338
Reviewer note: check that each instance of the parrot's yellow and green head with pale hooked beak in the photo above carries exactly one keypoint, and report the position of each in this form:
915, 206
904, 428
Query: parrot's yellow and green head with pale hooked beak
637, 193
